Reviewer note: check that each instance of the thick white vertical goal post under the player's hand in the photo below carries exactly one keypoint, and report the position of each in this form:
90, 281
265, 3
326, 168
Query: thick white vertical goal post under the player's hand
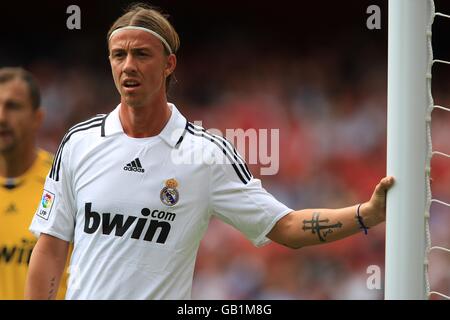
408, 69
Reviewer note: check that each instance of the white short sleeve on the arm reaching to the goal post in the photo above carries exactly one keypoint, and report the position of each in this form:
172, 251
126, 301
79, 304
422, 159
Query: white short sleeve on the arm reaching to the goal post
239, 199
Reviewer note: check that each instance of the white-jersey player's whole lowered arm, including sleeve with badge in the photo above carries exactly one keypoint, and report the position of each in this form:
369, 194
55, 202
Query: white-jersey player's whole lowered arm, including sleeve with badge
54, 225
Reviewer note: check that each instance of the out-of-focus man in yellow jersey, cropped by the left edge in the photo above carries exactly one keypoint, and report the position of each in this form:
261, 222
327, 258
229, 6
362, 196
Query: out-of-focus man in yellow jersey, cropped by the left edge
23, 168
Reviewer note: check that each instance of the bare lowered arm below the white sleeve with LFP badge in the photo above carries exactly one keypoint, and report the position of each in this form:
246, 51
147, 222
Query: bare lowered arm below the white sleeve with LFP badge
46, 267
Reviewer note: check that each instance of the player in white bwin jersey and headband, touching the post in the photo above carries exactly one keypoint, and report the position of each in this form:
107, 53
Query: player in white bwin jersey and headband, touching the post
126, 188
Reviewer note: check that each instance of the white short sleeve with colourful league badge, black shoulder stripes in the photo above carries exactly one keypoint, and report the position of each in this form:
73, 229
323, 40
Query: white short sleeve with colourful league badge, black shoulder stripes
55, 215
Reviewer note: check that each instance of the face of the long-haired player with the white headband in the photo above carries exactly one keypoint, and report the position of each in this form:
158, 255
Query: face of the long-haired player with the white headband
139, 66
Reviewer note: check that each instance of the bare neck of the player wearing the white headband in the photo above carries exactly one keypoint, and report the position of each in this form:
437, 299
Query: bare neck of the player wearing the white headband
144, 121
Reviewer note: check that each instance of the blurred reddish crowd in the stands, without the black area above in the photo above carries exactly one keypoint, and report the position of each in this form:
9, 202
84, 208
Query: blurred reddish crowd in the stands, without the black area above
330, 109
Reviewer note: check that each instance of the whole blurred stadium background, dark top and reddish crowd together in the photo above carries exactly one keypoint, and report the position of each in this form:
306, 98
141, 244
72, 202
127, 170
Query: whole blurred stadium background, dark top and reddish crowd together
311, 69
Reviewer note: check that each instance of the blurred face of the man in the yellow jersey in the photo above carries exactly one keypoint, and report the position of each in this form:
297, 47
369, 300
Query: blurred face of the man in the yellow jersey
18, 121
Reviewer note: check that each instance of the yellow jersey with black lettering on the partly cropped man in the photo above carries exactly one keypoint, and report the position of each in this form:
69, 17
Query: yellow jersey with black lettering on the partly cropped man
19, 198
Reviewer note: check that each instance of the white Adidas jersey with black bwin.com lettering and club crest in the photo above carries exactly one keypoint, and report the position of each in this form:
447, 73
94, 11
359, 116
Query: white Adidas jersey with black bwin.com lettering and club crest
136, 209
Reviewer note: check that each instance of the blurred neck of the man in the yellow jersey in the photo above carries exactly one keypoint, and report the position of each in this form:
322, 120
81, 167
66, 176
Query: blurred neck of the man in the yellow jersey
16, 162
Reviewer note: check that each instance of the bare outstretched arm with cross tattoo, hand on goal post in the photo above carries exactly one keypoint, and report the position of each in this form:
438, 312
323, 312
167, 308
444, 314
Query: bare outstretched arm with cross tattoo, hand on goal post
316, 226
